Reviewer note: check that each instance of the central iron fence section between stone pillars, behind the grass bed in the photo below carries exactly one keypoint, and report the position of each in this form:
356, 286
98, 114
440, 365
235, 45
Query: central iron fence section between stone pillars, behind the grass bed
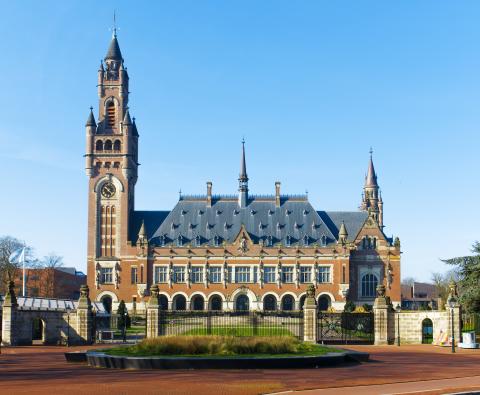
231, 323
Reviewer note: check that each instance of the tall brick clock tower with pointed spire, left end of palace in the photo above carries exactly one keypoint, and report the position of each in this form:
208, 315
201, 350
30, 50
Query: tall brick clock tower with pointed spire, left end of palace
111, 165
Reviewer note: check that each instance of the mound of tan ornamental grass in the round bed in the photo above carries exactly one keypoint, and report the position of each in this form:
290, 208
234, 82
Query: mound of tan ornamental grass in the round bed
216, 345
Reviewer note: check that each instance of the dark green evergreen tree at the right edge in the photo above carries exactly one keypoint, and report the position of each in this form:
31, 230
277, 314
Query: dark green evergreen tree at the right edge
468, 271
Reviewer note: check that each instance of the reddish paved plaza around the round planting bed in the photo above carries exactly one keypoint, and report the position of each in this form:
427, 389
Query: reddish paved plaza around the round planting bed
43, 370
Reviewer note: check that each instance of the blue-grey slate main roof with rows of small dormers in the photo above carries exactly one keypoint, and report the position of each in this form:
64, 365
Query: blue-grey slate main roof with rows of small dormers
192, 222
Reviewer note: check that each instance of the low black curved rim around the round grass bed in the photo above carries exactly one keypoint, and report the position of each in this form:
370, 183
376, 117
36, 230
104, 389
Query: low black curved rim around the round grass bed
102, 360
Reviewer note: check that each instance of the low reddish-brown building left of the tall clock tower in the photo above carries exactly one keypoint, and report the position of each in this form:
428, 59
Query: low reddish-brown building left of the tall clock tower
61, 282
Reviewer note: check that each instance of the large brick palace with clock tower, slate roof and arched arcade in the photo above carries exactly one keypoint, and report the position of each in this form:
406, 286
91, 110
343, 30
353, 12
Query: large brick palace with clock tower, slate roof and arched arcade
239, 252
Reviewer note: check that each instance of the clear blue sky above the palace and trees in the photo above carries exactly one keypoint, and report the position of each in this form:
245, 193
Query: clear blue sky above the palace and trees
310, 84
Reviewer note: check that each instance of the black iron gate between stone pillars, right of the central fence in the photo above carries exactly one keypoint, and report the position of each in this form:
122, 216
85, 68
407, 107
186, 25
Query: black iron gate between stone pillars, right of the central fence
345, 328
